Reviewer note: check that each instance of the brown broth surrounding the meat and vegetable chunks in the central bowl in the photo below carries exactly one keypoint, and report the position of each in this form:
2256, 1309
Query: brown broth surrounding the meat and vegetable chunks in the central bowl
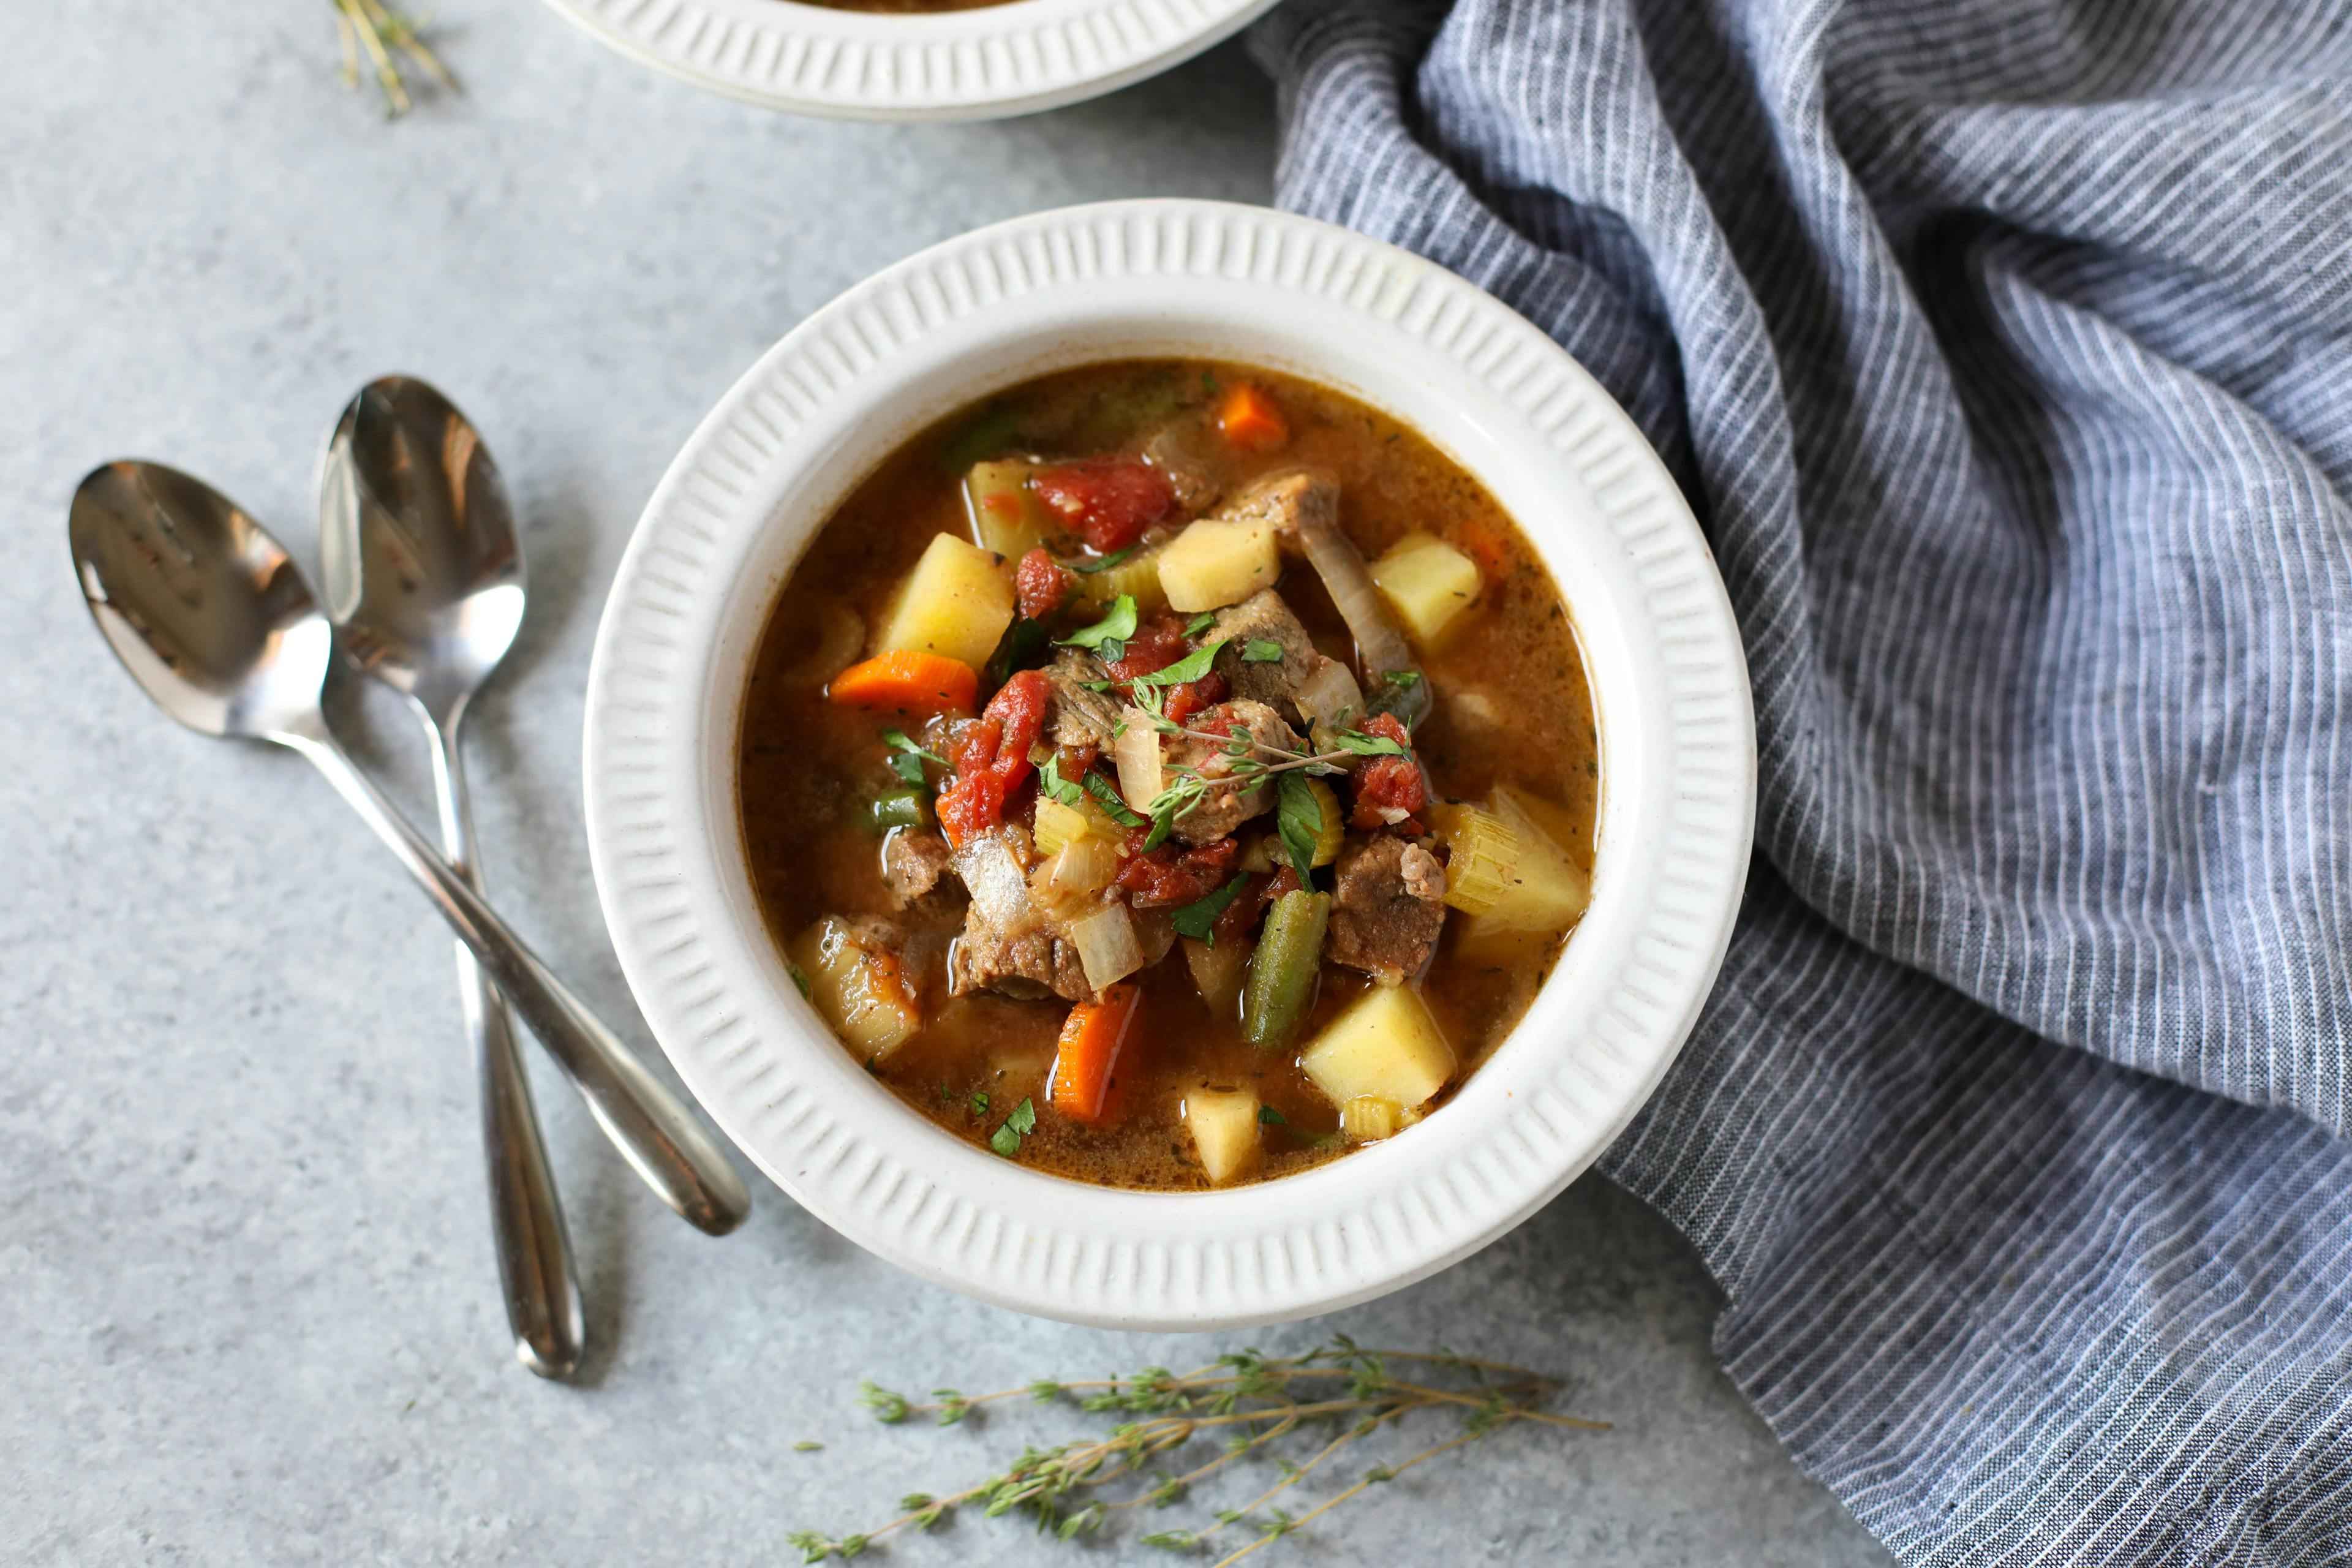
1509, 706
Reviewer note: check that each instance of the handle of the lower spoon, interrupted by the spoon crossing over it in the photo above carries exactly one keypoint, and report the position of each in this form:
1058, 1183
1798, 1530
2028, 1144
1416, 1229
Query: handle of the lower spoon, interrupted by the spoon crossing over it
528, 1221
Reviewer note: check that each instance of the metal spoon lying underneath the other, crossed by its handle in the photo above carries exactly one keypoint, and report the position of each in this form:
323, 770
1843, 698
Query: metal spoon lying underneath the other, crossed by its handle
425, 584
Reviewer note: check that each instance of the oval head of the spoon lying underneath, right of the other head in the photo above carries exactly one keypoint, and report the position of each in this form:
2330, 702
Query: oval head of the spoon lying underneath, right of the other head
420, 558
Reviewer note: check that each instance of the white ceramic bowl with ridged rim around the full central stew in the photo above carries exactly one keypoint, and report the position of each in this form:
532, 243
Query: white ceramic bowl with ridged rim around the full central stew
1168, 279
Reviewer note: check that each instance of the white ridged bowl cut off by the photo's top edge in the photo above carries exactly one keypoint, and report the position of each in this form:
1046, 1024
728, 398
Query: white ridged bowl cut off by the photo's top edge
980, 65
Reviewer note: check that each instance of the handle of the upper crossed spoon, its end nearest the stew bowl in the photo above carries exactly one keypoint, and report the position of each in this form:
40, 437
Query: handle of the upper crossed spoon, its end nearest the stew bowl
646, 1123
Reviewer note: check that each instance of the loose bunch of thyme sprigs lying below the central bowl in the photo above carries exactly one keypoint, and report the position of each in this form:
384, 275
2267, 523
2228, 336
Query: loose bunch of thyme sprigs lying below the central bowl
1252, 1400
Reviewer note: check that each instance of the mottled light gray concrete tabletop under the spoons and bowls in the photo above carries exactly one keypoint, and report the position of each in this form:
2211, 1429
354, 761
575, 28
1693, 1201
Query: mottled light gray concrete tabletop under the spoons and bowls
246, 1292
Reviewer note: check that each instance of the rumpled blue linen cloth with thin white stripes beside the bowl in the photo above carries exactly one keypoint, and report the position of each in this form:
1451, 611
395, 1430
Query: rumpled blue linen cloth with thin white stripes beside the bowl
2005, 351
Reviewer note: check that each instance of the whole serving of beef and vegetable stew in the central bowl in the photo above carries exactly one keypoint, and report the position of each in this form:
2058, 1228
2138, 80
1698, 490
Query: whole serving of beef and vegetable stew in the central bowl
980, 819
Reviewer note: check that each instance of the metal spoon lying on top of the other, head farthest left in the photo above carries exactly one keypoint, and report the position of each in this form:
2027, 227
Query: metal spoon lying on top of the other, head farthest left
213, 619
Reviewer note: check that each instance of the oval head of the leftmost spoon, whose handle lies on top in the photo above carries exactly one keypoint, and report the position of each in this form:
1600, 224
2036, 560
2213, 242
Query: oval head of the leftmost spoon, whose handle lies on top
203, 608
